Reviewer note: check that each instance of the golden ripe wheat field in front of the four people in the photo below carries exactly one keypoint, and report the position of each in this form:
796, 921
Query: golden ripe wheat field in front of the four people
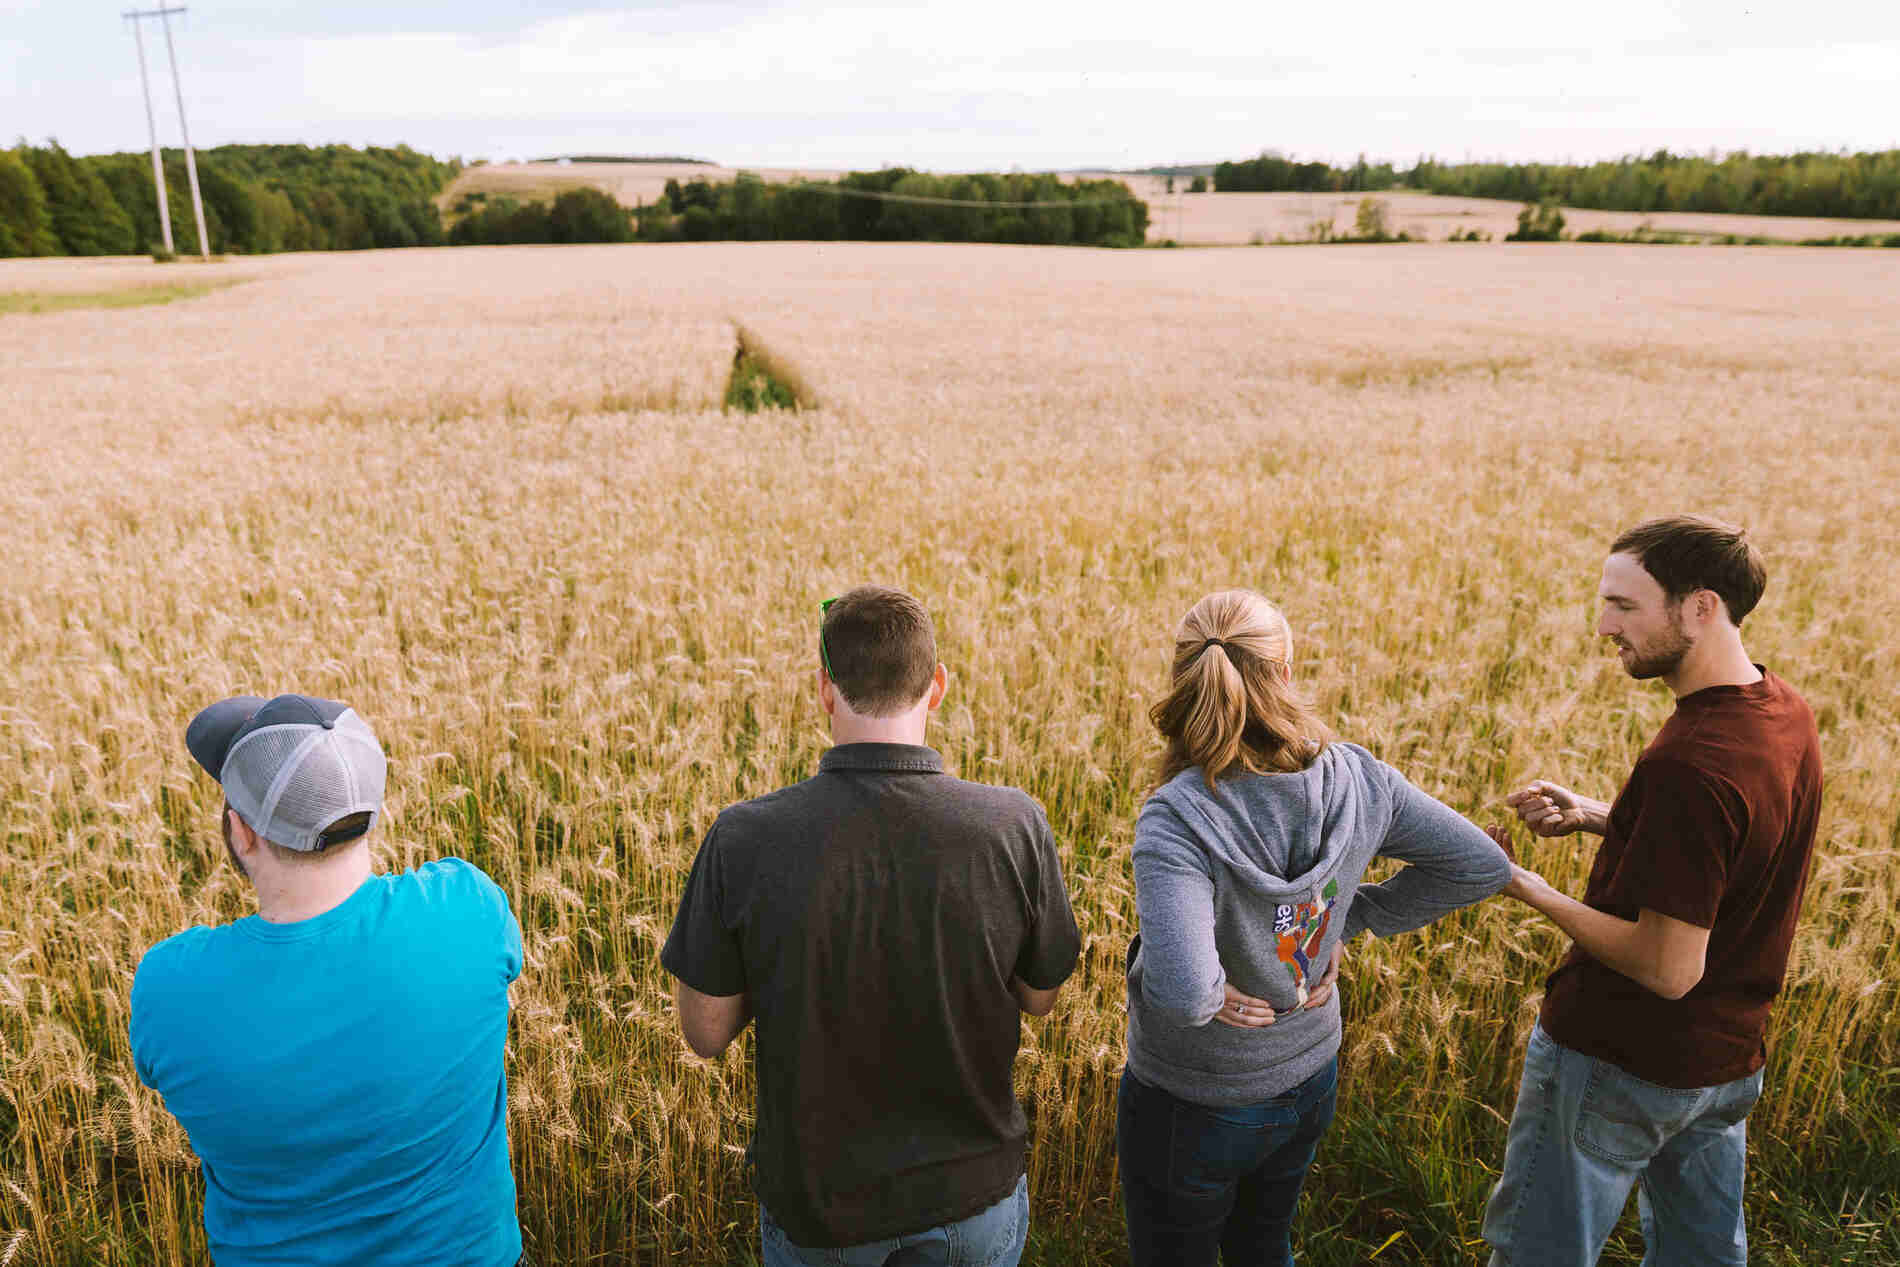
489, 499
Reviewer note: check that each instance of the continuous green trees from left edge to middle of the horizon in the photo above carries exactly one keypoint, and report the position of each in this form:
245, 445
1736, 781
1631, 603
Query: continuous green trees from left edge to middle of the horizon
265, 199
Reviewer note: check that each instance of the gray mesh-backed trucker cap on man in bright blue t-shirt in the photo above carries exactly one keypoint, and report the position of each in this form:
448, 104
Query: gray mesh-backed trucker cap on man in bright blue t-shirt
292, 766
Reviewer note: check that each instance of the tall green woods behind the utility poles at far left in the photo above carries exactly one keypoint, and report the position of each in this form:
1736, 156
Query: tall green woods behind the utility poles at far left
257, 199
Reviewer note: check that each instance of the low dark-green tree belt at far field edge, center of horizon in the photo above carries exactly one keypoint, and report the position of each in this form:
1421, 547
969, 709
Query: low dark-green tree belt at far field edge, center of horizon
871, 206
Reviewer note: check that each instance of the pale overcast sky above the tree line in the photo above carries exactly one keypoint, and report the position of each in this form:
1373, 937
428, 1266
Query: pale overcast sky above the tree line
972, 85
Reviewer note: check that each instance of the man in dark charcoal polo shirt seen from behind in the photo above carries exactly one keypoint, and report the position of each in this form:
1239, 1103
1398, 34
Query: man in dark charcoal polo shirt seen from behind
886, 924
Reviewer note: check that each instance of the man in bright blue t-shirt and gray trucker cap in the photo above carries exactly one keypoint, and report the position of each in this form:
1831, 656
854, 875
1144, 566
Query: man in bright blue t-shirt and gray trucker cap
337, 1057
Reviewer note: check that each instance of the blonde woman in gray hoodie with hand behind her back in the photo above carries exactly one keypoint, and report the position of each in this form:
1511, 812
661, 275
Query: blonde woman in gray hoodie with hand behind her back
1247, 880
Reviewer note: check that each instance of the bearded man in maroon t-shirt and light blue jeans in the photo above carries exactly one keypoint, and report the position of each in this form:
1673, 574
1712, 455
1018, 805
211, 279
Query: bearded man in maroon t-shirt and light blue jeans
1648, 1053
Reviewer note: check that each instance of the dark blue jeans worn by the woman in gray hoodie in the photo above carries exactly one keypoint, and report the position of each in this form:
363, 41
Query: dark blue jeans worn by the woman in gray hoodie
1202, 1182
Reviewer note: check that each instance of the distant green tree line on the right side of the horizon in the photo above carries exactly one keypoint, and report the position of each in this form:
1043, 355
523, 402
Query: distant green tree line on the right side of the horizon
1798, 185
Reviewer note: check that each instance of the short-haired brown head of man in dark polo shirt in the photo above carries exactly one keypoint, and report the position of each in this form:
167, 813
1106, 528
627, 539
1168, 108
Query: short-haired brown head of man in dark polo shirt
879, 649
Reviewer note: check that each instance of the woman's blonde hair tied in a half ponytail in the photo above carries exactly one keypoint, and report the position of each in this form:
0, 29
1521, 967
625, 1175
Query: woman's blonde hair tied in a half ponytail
1232, 702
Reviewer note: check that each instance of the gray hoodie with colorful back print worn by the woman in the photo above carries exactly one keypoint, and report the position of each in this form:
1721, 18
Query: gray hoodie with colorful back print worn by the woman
1255, 884
